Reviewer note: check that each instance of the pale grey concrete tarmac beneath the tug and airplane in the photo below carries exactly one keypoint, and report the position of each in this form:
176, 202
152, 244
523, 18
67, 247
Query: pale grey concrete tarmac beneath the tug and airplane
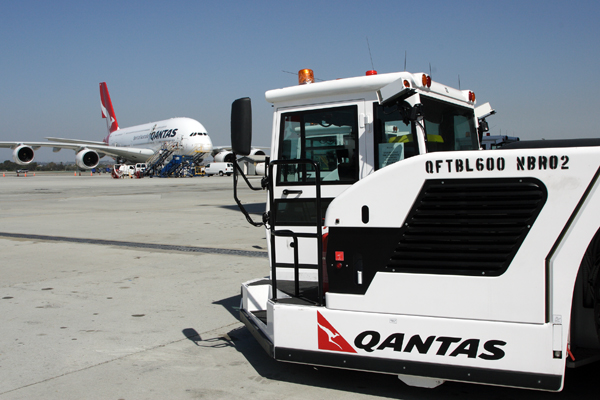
128, 289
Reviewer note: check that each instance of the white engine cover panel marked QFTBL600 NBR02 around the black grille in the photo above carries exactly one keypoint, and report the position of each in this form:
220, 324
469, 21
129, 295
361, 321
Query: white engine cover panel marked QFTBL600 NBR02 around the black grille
467, 296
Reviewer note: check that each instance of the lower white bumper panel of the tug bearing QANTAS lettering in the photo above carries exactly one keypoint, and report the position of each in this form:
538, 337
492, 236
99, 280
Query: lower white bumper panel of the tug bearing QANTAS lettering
533, 341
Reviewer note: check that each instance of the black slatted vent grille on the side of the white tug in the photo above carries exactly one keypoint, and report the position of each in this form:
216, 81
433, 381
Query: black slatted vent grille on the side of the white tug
467, 226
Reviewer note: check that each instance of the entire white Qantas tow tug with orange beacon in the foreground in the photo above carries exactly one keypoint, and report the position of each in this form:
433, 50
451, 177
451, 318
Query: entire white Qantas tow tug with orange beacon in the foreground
398, 246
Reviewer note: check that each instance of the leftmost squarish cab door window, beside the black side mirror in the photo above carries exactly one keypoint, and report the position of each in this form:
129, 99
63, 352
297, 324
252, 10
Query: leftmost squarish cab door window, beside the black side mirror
326, 136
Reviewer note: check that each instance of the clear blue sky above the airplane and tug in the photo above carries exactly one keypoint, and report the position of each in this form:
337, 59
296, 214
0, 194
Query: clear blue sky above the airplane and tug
536, 62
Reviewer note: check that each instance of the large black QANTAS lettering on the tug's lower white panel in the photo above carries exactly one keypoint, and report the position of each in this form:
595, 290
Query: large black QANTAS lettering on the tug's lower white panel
371, 341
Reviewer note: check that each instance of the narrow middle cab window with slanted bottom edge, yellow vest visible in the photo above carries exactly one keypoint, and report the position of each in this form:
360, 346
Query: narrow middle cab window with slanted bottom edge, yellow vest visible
394, 140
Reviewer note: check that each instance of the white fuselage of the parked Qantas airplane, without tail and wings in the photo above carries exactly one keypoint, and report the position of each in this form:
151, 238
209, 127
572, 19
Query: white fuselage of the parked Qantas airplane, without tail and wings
187, 132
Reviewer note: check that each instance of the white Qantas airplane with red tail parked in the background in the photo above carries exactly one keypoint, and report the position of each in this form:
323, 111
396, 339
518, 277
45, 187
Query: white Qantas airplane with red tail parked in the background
135, 144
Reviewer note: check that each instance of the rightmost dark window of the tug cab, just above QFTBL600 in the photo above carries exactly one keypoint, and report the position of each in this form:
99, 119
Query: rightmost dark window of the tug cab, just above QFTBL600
449, 127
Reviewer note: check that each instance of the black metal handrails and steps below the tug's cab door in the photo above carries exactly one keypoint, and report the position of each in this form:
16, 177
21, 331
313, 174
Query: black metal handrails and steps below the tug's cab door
303, 291
